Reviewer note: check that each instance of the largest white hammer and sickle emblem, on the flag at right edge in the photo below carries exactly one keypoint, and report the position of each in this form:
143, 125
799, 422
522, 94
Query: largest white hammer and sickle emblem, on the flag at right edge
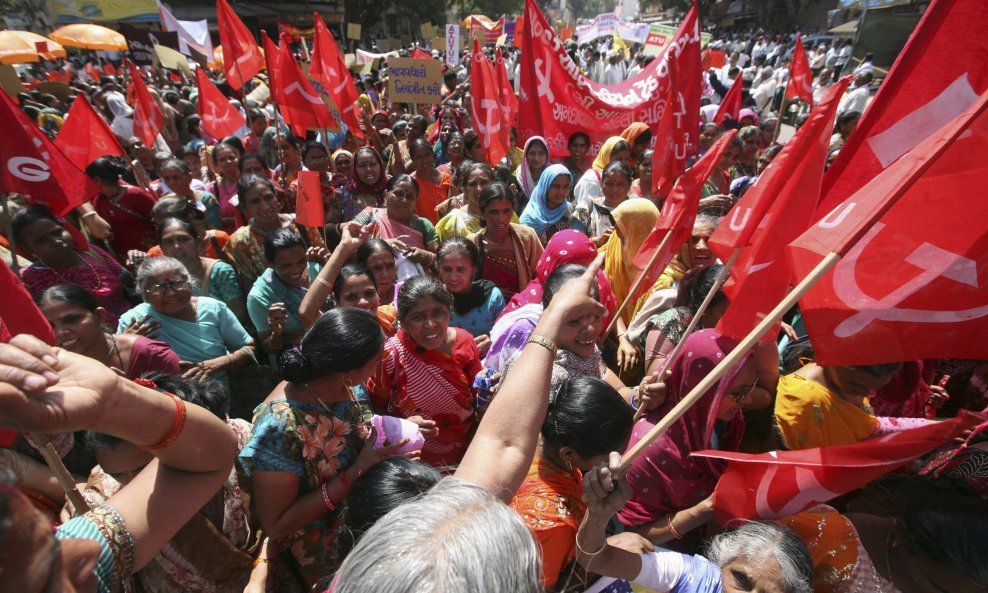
932, 260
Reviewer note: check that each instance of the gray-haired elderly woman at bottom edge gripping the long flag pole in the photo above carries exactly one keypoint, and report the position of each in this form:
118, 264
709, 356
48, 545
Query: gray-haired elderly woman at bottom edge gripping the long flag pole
754, 557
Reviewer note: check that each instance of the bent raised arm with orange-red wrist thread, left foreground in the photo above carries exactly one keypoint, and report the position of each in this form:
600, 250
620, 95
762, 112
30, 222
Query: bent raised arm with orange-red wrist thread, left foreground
48, 389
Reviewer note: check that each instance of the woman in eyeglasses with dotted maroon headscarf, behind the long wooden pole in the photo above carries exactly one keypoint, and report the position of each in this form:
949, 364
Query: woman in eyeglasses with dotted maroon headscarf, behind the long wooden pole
672, 489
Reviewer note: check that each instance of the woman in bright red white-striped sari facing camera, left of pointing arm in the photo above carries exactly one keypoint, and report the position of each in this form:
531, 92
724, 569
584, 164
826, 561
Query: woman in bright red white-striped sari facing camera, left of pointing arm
427, 372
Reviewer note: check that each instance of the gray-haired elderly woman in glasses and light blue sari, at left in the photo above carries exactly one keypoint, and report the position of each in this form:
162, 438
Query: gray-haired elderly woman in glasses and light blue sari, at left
203, 332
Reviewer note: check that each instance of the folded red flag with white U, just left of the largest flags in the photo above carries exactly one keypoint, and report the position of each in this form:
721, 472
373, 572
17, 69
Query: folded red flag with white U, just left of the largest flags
771, 214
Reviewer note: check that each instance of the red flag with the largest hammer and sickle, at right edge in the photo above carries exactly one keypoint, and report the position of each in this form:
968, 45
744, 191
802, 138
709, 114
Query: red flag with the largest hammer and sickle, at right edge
911, 281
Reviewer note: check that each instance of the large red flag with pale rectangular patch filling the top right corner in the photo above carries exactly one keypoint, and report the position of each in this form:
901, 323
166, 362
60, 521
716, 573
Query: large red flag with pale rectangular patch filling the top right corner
939, 74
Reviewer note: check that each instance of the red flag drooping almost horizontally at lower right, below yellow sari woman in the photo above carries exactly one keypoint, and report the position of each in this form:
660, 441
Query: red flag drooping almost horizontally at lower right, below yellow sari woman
781, 483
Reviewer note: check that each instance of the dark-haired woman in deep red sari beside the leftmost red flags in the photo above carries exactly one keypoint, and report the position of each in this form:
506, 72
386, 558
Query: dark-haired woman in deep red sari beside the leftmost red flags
126, 208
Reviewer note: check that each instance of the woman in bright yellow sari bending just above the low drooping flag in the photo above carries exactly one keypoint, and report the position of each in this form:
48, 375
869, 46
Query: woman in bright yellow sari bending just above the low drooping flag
821, 406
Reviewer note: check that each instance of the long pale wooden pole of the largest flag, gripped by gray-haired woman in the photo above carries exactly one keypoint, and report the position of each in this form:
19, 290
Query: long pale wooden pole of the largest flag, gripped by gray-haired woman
731, 359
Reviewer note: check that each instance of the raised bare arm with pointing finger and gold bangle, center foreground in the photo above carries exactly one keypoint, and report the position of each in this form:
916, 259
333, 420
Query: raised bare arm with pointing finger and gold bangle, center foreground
503, 448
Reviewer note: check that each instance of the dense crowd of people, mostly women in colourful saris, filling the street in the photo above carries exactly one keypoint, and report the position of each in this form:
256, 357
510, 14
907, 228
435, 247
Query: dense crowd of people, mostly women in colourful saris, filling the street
421, 394
